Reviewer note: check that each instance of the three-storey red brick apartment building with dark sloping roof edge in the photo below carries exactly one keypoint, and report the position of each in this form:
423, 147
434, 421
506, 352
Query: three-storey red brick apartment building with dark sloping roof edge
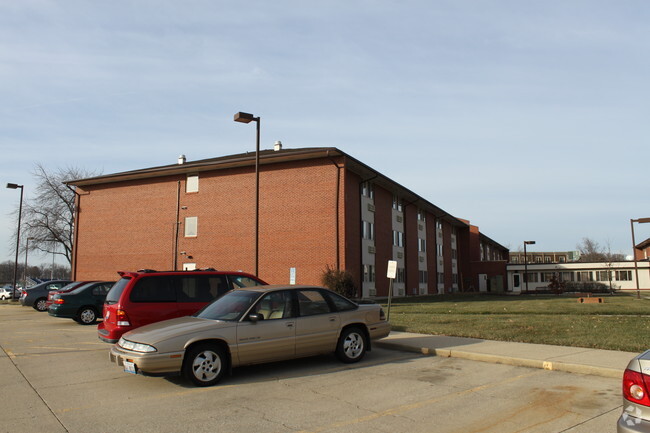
318, 208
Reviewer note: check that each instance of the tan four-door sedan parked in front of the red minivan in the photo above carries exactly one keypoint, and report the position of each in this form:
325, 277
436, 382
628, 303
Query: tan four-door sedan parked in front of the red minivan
251, 326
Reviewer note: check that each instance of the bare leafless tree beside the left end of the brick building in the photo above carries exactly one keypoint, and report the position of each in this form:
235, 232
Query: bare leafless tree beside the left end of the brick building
49, 216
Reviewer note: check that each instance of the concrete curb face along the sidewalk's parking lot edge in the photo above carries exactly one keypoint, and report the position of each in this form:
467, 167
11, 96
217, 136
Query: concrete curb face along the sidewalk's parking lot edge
503, 359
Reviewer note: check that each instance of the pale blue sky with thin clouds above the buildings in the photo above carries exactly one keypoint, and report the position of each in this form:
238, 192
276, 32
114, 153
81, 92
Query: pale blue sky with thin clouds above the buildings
526, 118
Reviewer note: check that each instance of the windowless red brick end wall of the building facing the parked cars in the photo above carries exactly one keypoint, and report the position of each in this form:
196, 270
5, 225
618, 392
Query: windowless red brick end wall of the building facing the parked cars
130, 225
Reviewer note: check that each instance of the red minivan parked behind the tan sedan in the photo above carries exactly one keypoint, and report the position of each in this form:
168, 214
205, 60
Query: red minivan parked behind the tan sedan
148, 296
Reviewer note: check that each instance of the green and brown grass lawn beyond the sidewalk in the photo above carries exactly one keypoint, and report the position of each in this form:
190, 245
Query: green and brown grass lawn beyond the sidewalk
622, 322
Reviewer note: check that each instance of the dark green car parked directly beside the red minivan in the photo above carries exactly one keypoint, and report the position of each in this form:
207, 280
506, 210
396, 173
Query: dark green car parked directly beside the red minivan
83, 304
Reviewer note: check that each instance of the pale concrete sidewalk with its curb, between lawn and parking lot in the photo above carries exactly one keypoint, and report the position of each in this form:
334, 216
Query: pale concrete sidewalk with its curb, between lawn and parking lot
606, 363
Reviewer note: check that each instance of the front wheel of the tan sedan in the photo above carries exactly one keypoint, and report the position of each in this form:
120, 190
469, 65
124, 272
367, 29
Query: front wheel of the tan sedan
205, 364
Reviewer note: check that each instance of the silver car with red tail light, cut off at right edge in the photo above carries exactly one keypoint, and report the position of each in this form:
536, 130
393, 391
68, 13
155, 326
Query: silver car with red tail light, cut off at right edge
636, 399
